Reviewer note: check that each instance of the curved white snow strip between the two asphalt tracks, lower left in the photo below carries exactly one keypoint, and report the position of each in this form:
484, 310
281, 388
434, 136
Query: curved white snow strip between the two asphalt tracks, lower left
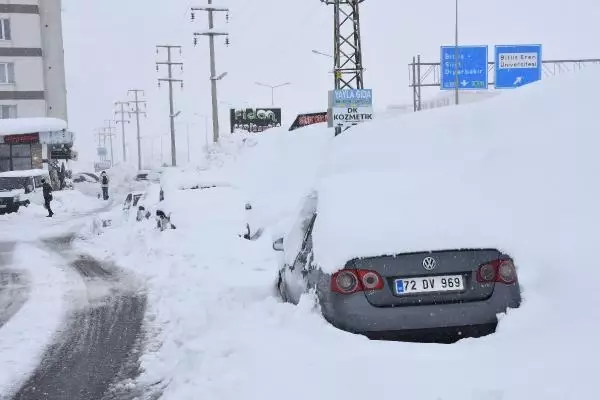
23, 339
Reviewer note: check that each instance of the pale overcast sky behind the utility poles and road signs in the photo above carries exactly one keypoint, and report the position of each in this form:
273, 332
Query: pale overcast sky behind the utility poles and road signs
109, 48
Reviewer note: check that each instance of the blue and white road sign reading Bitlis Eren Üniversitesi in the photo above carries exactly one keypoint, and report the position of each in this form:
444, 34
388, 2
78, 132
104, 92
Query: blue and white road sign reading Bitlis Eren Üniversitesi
517, 65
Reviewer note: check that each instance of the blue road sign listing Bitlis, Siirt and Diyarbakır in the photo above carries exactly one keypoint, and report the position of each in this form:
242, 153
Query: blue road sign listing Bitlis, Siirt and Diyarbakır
472, 68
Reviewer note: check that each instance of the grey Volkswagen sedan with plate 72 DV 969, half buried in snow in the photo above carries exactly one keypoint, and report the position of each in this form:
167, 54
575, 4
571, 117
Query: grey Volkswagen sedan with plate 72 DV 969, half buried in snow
424, 296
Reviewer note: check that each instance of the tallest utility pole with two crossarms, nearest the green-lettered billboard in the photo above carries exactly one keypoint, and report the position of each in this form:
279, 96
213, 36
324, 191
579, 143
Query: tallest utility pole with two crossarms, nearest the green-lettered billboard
211, 33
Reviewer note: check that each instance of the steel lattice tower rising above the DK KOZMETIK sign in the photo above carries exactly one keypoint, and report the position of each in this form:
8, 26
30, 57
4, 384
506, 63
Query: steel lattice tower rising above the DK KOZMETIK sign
347, 52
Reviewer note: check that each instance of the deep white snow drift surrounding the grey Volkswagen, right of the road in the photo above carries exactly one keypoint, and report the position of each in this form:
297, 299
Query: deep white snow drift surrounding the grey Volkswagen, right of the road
523, 165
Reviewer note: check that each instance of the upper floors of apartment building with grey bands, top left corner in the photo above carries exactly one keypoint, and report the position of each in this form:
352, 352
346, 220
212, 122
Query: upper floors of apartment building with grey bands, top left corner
32, 71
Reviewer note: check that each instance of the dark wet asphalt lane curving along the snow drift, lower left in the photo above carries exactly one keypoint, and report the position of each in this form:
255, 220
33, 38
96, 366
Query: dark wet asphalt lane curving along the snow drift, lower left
100, 343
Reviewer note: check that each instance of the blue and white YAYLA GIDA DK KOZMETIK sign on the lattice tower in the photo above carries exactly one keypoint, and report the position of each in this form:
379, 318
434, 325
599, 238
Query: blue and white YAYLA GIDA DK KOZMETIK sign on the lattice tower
350, 107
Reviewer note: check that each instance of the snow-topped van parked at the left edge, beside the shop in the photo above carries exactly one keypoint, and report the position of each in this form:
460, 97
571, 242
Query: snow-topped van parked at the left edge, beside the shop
21, 188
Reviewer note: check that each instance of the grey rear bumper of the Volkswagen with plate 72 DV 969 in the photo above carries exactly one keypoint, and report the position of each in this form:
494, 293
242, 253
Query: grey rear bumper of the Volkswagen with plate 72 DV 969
353, 313
